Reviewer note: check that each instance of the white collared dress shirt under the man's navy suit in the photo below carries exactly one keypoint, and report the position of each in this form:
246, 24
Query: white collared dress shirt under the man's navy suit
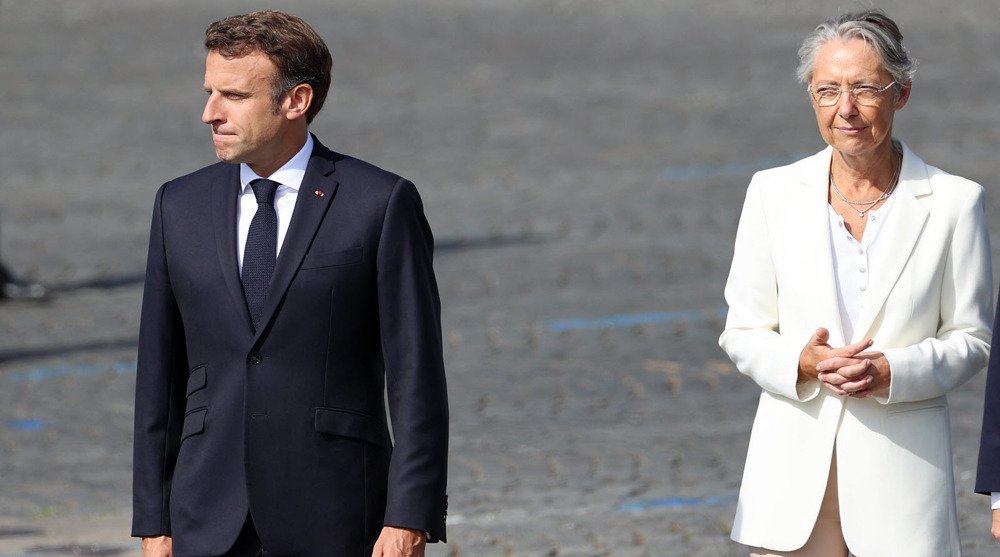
290, 177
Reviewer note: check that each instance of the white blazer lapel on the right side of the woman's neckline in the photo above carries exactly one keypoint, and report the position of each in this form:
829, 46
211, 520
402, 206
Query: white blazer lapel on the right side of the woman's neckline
897, 239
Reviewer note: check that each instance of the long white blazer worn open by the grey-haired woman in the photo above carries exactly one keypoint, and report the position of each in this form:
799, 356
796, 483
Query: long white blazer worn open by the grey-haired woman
929, 309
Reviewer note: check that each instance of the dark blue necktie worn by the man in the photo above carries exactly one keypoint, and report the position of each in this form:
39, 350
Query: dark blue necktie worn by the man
261, 249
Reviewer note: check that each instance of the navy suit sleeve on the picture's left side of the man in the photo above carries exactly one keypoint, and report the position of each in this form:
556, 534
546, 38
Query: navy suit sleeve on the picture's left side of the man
159, 395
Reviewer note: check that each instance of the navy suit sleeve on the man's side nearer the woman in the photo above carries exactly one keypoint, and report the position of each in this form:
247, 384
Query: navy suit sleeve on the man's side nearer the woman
410, 317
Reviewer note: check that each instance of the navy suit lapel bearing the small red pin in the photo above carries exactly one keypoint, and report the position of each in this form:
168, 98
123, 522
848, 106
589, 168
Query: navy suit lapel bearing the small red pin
310, 208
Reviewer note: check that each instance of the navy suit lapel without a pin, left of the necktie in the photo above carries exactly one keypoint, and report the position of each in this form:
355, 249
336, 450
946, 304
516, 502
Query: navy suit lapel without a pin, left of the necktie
225, 197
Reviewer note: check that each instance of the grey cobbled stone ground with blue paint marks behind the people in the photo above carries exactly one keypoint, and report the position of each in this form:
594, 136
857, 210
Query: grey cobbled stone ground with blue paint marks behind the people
578, 159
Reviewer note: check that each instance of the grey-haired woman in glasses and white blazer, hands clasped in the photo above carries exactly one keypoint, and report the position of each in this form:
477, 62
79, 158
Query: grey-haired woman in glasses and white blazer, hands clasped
859, 295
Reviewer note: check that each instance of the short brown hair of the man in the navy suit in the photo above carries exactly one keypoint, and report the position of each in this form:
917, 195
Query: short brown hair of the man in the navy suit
289, 42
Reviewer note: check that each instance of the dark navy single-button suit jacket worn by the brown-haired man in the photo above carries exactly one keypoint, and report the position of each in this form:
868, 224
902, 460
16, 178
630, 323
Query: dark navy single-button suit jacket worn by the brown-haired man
289, 422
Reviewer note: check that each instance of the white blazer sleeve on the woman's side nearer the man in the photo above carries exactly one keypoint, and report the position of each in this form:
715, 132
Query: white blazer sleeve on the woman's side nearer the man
752, 337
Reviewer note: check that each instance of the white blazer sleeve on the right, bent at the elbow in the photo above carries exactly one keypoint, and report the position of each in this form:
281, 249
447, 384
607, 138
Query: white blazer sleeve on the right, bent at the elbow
961, 347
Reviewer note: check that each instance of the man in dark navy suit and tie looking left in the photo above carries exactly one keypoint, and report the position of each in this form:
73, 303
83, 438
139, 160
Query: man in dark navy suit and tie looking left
287, 289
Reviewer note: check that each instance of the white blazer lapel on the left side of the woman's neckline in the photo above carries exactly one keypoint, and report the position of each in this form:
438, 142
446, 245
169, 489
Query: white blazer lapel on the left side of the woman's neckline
816, 253
